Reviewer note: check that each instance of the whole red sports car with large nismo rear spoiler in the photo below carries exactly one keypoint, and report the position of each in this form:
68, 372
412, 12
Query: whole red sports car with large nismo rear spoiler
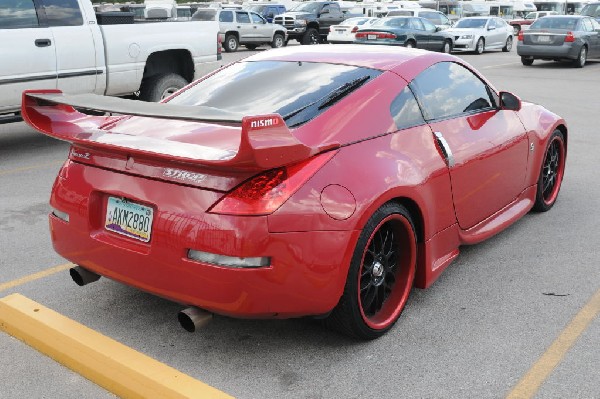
306, 181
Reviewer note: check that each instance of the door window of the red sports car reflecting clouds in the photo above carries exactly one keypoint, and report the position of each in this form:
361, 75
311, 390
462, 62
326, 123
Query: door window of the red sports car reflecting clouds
448, 89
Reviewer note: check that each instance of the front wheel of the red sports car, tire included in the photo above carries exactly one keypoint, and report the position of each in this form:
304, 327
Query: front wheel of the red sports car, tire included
551, 172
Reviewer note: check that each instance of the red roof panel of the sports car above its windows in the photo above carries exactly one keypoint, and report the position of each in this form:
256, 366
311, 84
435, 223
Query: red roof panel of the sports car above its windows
403, 61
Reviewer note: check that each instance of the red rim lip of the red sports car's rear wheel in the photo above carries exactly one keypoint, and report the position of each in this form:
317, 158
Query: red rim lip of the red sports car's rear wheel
400, 297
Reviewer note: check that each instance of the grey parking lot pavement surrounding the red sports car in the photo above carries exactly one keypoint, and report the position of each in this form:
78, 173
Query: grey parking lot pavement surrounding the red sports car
515, 316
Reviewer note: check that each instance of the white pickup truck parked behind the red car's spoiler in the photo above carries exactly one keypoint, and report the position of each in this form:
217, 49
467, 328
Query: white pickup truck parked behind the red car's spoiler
61, 44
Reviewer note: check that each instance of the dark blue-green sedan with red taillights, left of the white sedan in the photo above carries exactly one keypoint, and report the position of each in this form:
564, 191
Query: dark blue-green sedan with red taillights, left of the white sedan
408, 32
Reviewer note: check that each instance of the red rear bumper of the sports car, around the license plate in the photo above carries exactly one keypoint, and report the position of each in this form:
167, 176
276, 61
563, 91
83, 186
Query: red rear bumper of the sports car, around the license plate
306, 276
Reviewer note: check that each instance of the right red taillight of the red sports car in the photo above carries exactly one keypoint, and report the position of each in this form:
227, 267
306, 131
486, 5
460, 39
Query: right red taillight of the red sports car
265, 193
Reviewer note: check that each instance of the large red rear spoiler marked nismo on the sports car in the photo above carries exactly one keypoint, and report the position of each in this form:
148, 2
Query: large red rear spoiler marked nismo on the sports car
265, 143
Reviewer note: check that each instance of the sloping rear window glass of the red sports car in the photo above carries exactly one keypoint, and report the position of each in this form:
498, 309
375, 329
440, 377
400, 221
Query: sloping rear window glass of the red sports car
298, 91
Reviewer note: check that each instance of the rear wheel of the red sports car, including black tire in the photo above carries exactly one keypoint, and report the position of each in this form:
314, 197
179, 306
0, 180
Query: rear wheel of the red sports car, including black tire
380, 276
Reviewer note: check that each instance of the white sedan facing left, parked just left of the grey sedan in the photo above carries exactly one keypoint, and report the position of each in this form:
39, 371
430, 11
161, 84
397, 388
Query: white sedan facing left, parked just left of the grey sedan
481, 33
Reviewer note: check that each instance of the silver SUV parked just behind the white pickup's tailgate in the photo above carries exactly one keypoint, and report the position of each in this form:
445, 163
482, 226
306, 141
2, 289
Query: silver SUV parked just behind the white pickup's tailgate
241, 27
